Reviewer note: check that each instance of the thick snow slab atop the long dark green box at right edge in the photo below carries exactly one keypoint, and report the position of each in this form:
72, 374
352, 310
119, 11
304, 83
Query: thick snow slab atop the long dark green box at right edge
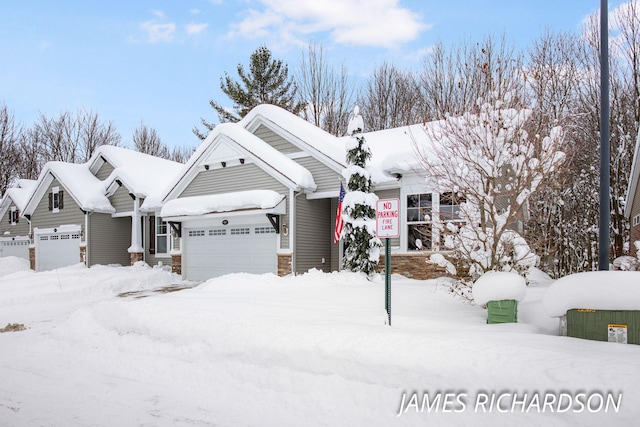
597, 290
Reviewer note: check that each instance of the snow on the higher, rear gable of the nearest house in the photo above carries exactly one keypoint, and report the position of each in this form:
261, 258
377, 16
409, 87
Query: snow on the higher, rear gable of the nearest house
303, 131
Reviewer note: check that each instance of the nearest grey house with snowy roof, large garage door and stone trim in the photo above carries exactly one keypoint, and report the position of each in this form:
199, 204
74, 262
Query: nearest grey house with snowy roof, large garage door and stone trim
261, 196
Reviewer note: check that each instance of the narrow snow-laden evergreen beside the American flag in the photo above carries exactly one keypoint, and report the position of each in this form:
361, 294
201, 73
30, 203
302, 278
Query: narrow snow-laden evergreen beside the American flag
362, 247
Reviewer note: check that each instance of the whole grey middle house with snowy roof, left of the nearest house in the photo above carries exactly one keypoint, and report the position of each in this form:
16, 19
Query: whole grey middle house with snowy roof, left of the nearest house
90, 212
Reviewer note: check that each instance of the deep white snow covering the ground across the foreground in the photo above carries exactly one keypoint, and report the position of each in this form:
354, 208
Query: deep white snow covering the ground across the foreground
311, 350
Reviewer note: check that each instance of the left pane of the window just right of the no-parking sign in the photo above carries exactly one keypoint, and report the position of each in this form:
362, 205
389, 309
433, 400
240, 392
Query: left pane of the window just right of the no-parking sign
419, 223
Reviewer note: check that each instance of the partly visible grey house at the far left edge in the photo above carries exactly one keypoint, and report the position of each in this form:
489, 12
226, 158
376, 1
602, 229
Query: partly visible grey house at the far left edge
15, 230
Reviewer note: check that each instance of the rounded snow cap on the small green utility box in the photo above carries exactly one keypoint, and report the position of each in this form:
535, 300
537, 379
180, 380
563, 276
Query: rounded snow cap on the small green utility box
499, 285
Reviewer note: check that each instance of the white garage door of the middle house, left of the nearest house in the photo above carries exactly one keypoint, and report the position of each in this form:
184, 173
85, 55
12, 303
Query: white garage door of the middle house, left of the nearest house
57, 248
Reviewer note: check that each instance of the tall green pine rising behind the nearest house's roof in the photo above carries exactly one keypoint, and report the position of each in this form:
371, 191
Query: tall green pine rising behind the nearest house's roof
266, 82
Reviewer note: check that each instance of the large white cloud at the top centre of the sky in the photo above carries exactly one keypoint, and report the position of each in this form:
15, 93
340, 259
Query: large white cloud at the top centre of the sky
355, 22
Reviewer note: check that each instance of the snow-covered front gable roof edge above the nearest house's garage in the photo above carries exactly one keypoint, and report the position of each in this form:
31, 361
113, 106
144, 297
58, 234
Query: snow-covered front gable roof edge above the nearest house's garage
233, 138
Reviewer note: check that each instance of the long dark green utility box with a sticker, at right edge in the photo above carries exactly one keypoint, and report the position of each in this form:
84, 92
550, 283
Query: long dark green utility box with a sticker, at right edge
604, 325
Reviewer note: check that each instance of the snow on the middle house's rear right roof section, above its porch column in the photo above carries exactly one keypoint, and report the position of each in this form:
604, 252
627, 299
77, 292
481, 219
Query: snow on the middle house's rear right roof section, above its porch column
143, 174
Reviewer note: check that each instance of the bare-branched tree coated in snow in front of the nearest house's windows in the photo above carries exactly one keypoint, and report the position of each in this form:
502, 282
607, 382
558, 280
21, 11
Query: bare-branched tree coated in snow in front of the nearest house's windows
493, 166
